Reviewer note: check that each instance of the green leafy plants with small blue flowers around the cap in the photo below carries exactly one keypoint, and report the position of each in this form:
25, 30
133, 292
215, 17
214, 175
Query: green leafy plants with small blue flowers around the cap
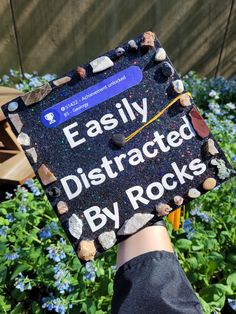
39, 271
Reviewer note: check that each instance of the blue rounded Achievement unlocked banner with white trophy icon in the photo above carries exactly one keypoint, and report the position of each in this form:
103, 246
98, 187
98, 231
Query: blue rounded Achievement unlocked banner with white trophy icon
91, 97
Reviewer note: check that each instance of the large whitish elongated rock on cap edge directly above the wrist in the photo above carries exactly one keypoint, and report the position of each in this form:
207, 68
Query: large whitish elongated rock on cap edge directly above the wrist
133, 224
